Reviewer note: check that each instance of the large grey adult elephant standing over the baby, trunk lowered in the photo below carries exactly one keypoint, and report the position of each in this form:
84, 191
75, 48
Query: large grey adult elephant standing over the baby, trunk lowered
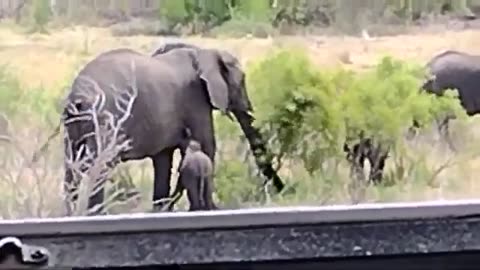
177, 87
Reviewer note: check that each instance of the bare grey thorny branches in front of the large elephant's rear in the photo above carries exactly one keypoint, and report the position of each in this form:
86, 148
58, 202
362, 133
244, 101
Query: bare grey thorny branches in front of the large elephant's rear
91, 167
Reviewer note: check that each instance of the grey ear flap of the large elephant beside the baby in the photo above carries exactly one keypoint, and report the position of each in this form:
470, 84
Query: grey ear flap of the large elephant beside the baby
210, 67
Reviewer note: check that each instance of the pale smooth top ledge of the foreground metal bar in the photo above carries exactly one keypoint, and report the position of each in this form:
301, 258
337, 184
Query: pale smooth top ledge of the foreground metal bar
255, 217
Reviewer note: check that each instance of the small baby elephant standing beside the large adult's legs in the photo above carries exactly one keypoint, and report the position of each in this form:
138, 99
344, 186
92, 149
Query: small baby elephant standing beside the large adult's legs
196, 176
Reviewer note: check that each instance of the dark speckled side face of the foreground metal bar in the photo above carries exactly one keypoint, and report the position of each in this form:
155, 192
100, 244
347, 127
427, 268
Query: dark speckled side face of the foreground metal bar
256, 244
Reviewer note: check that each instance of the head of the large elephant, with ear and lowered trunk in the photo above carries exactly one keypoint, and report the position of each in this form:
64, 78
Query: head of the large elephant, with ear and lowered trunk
224, 81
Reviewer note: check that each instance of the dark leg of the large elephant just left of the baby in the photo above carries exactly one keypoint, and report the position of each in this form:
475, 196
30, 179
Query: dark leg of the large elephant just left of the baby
162, 167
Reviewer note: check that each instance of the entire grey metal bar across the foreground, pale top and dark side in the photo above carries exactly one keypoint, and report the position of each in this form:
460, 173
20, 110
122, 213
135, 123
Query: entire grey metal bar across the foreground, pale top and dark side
426, 235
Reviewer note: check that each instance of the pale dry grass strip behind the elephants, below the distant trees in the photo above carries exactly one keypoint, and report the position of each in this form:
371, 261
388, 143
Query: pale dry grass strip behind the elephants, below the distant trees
48, 59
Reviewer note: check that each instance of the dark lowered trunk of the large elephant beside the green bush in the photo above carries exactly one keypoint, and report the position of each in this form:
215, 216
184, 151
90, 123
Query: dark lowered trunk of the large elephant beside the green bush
258, 147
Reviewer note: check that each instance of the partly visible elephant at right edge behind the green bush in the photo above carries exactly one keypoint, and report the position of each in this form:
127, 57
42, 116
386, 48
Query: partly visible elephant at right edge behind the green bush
455, 70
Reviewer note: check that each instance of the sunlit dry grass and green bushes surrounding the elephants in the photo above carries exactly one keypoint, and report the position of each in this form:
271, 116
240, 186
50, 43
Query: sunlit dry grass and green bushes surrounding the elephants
310, 93
